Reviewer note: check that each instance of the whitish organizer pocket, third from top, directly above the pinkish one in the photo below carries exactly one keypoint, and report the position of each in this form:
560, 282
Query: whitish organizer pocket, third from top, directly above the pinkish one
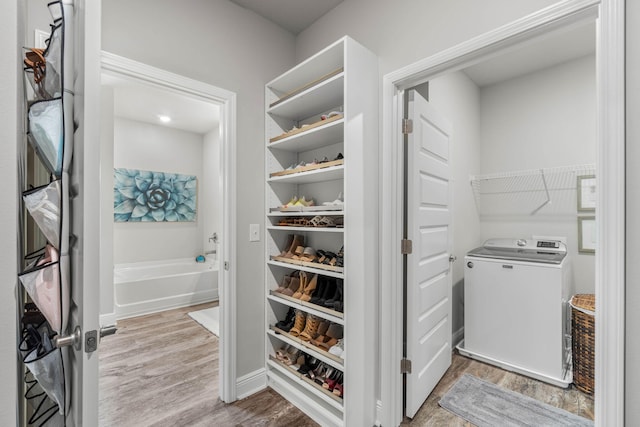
43, 203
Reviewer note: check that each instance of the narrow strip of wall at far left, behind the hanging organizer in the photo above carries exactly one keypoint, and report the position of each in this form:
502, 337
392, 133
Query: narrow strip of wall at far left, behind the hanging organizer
12, 13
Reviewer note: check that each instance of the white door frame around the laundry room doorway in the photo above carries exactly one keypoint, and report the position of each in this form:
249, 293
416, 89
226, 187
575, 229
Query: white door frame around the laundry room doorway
609, 18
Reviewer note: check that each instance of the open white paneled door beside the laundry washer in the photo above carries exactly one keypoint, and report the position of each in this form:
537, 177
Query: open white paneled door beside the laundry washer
428, 282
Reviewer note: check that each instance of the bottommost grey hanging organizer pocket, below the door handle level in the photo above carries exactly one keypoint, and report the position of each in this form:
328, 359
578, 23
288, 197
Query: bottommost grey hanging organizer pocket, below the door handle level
44, 361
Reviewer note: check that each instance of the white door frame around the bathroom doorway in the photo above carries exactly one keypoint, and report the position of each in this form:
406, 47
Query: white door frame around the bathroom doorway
226, 101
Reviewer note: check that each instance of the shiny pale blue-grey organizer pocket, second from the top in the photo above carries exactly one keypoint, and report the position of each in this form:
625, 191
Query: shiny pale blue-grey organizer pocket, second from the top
46, 133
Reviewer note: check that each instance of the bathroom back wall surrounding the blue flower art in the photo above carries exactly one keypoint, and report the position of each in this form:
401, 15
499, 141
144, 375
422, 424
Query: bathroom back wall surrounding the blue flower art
151, 147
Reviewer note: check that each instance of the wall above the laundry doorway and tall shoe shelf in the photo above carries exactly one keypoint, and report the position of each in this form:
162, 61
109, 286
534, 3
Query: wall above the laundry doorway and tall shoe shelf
401, 33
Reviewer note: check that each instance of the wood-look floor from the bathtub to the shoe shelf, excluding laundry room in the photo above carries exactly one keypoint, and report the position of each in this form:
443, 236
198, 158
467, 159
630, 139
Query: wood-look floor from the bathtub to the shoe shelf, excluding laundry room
162, 370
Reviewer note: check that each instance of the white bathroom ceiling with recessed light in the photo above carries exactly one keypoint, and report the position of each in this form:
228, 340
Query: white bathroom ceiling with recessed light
144, 103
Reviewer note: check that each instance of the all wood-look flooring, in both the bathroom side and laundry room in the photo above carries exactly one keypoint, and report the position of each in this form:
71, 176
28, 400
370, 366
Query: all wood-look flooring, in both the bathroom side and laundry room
161, 370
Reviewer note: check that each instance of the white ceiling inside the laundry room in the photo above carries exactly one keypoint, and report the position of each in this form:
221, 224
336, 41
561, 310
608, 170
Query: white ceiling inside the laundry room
547, 51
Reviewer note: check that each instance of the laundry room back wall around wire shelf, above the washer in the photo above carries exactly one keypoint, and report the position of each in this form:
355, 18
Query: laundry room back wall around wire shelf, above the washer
542, 120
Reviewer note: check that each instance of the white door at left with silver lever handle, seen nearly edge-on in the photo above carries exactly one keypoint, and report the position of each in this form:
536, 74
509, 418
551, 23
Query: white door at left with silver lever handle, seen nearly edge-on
85, 216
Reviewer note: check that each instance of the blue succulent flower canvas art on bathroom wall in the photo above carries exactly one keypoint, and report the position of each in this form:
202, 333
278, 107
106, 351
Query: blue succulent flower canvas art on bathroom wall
146, 196
